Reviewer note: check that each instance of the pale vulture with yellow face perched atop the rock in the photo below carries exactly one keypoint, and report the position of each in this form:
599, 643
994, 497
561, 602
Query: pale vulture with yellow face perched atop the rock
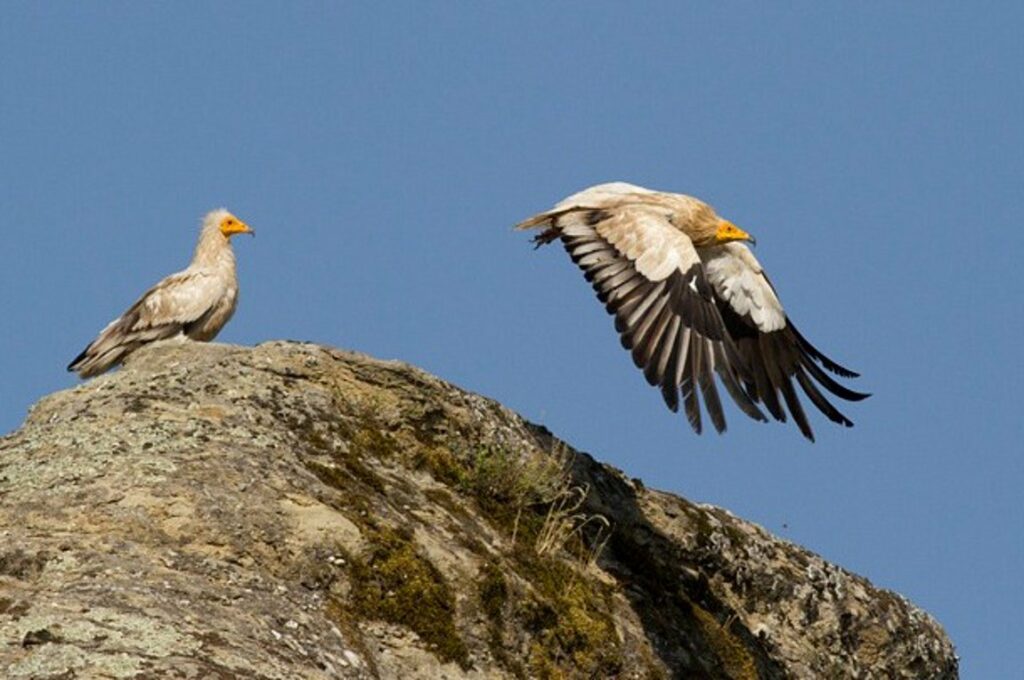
194, 304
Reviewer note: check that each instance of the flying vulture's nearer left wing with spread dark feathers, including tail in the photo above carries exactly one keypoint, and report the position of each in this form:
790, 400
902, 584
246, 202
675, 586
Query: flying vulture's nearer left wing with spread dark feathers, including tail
650, 277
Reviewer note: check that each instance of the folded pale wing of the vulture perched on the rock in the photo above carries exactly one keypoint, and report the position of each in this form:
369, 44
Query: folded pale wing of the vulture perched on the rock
165, 311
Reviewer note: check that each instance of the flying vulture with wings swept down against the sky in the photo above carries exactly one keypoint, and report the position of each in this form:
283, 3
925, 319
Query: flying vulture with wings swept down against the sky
691, 302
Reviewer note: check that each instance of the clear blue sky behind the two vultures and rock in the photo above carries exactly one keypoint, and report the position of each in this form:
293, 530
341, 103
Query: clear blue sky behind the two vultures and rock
383, 152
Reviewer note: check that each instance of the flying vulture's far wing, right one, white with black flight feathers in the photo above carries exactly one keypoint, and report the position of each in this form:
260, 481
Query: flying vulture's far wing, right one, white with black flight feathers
774, 354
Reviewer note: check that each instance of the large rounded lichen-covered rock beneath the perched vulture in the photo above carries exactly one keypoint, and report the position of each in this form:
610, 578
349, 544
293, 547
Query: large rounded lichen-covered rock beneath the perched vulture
294, 512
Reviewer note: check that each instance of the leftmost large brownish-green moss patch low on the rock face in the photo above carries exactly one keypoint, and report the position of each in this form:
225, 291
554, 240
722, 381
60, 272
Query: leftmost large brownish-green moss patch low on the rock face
395, 583
